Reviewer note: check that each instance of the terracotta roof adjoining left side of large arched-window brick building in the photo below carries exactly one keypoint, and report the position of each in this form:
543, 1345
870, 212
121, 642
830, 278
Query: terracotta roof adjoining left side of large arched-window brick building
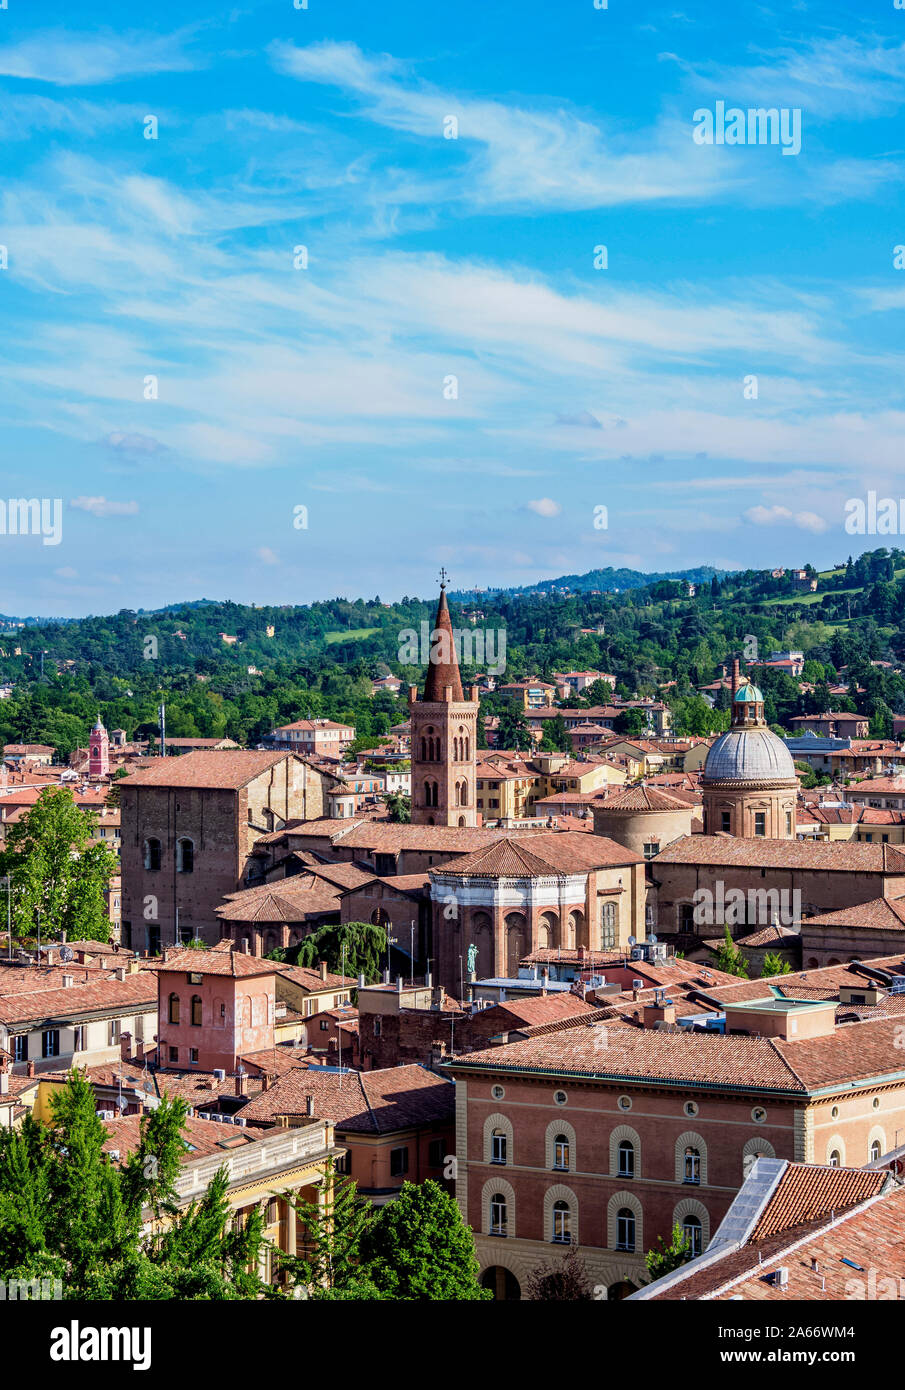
366, 1103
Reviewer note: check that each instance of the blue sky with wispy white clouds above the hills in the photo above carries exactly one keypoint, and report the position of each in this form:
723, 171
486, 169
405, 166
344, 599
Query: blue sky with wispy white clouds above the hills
433, 258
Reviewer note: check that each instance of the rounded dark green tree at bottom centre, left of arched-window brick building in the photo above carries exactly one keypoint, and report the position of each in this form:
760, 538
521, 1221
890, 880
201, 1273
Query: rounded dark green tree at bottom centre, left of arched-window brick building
419, 1248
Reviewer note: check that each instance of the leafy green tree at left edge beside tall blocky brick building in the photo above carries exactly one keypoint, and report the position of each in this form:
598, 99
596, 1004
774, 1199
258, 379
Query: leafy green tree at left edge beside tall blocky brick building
58, 876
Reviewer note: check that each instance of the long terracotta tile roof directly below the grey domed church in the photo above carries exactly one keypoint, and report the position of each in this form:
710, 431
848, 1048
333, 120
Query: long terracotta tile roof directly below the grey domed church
785, 854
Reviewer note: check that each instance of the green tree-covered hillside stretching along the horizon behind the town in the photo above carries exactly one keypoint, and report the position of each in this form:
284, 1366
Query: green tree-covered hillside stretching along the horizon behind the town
320, 660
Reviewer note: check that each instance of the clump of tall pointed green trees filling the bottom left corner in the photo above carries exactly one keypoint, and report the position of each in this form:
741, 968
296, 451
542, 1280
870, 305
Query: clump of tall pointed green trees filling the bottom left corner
69, 1213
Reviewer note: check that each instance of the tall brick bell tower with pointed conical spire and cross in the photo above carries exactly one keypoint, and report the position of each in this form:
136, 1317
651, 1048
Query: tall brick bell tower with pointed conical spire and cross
444, 735
